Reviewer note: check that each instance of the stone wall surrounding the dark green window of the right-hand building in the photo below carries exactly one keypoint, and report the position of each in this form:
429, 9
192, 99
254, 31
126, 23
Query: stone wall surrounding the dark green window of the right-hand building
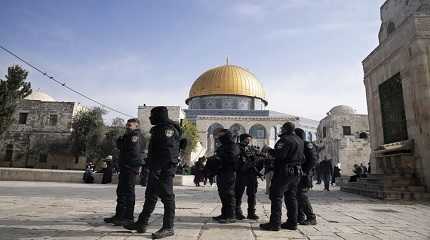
406, 52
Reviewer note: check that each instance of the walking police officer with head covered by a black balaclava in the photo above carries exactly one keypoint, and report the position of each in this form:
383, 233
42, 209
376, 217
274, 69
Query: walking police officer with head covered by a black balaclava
163, 153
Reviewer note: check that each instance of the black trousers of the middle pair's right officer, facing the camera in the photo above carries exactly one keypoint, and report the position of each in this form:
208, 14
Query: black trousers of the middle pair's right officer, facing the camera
249, 182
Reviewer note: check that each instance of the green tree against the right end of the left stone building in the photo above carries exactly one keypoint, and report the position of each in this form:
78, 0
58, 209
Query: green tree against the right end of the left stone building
88, 131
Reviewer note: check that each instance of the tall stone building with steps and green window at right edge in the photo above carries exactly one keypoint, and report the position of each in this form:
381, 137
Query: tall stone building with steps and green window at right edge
397, 80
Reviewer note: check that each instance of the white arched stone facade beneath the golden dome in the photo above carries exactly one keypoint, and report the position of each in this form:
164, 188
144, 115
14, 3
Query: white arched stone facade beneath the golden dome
265, 129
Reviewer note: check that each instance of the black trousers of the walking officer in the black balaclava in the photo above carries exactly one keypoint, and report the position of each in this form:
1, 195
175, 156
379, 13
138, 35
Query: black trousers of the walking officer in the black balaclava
160, 185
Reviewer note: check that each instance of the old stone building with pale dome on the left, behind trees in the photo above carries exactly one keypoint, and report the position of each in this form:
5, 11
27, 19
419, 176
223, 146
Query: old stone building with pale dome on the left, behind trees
40, 135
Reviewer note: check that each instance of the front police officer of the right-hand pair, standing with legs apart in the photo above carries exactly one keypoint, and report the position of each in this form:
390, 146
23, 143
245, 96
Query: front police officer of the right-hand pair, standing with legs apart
288, 153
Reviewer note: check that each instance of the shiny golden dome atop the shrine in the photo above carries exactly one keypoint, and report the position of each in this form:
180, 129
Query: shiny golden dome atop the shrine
227, 80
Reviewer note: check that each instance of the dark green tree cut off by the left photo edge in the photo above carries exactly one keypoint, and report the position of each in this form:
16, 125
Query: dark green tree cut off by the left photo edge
12, 90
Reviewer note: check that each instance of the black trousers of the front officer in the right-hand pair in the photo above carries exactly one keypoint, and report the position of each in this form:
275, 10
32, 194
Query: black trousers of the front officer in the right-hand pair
283, 186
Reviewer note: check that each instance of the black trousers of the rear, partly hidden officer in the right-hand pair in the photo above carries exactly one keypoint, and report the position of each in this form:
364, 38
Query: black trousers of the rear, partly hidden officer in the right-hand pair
305, 210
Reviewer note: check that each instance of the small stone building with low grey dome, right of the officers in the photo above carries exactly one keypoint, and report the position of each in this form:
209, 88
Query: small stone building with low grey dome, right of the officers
343, 138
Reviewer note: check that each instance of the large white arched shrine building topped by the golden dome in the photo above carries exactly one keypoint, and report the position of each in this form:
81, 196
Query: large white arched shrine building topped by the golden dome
231, 97
